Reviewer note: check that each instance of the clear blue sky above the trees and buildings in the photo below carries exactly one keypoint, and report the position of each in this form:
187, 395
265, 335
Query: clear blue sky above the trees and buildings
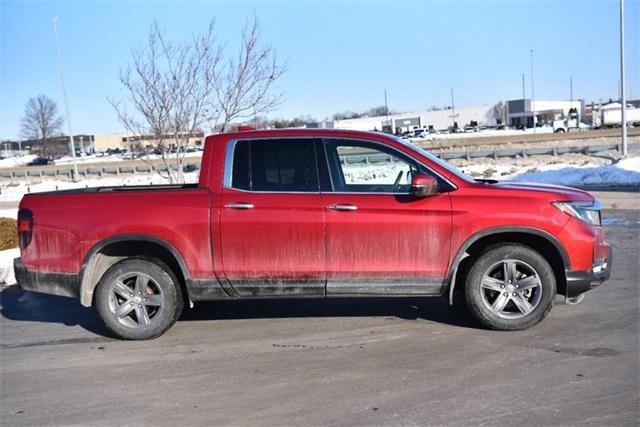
341, 55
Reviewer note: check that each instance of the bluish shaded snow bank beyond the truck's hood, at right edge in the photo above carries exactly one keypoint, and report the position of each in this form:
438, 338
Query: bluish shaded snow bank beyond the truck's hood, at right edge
624, 173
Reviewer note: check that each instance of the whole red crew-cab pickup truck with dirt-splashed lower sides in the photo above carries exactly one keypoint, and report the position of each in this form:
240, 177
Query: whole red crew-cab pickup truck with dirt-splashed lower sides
313, 213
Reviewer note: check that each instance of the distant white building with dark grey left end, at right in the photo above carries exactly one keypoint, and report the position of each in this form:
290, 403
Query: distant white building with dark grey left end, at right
520, 112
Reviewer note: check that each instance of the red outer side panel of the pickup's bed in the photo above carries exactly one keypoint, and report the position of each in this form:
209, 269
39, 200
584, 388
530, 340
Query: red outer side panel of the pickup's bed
68, 223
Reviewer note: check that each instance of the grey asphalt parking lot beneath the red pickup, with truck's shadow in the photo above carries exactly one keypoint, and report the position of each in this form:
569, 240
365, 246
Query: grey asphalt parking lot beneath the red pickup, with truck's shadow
337, 362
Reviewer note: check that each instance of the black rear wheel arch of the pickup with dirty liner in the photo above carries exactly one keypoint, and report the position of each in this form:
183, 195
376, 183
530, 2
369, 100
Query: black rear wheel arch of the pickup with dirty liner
109, 251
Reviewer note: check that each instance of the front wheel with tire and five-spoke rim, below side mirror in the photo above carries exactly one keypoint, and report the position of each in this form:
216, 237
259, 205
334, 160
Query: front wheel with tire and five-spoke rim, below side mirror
519, 302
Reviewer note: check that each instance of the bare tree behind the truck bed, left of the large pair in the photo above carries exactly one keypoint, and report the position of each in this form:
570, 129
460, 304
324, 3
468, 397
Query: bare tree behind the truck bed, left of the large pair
168, 87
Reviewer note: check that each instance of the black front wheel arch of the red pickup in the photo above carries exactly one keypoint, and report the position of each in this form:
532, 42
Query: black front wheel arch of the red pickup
541, 241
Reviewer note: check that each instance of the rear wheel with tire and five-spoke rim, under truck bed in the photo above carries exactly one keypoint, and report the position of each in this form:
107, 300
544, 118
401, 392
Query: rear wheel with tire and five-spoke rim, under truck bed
139, 298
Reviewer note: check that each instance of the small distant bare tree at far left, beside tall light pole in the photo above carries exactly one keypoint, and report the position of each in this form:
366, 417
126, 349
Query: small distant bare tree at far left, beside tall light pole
41, 120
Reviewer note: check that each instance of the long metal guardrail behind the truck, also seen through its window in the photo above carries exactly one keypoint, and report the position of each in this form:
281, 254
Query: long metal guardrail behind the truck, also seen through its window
347, 158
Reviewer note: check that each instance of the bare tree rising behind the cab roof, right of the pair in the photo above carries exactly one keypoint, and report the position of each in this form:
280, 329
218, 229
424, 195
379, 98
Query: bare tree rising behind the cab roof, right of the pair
245, 87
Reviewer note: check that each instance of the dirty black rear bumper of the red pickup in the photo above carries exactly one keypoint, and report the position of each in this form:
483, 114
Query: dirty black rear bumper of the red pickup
66, 285
